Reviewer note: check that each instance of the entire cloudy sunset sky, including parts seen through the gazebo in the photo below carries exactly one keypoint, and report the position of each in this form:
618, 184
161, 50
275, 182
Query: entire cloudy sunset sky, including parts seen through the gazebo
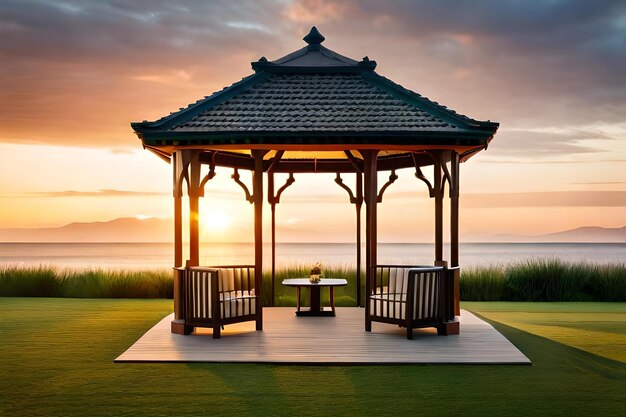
74, 74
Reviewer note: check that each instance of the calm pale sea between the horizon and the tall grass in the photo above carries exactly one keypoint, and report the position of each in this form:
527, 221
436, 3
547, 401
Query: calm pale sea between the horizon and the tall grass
160, 255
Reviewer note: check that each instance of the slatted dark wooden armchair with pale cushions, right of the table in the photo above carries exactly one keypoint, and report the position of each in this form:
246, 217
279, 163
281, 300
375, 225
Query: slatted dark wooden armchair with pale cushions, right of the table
412, 297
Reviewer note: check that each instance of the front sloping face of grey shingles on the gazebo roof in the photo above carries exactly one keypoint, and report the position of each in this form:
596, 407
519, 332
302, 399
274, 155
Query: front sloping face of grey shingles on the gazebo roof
315, 102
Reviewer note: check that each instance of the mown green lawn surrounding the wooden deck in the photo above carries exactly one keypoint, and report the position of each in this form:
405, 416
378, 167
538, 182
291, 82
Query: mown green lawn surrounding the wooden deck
56, 358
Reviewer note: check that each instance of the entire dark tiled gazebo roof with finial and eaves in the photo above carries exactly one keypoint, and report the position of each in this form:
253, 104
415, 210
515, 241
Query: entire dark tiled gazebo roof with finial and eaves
315, 96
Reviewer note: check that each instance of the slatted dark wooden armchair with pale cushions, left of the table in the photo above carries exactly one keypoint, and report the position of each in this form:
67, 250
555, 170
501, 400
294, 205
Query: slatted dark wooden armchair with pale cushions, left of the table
216, 296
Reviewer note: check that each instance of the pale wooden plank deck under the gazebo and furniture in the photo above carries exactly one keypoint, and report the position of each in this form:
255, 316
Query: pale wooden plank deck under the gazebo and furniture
325, 340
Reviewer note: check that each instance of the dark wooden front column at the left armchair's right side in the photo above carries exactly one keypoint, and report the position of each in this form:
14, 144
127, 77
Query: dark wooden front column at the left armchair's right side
257, 192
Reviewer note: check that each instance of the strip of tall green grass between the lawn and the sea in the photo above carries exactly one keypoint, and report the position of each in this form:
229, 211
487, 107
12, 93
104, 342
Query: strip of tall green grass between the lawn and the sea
532, 280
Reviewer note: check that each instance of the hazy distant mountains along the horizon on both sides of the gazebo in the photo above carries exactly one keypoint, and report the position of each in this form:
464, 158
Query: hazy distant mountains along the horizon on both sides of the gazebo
160, 230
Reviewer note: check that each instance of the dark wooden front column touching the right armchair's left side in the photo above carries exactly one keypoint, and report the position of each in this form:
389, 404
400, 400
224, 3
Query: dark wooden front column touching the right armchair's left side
371, 238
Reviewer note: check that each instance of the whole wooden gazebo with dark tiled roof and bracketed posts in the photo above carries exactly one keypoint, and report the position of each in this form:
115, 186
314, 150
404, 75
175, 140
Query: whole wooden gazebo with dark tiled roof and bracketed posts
312, 111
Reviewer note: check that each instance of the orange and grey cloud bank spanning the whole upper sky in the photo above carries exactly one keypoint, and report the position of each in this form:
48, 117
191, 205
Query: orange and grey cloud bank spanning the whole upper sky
78, 72
